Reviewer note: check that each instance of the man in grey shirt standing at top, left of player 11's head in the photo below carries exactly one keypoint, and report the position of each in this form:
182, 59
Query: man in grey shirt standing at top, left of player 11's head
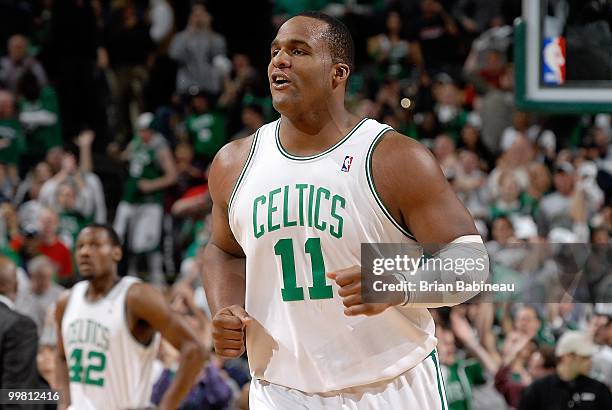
198, 51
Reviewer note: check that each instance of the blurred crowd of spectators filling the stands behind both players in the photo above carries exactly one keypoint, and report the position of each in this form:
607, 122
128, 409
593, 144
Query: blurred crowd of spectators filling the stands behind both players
112, 110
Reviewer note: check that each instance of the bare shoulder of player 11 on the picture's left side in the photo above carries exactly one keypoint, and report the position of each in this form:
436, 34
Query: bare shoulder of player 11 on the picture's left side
226, 168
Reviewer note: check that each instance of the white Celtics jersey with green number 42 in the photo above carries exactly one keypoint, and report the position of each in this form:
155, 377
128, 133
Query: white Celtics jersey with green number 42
108, 369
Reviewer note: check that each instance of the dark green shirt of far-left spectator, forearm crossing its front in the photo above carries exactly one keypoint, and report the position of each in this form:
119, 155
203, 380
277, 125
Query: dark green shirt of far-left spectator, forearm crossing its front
43, 138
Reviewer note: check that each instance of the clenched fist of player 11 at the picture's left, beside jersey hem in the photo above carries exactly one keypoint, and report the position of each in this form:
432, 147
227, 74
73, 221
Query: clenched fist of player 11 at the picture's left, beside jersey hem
228, 332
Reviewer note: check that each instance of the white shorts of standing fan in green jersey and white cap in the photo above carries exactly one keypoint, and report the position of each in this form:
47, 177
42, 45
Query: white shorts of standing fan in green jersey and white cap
144, 222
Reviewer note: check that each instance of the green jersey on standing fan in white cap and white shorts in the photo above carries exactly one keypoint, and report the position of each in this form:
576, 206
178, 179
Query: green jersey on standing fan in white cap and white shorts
144, 164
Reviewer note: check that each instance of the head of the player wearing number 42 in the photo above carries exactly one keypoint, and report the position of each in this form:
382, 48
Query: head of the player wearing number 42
97, 251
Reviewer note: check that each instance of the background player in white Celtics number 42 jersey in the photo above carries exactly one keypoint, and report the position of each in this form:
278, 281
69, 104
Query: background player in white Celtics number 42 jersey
109, 333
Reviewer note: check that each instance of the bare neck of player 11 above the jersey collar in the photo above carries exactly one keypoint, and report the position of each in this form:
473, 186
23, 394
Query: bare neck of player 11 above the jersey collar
313, 133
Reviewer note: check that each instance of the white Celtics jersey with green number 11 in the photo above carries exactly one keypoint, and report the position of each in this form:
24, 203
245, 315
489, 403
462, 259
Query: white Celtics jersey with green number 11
297, 218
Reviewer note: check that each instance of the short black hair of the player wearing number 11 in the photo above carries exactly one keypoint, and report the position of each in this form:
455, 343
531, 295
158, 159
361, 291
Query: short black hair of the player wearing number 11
338, 38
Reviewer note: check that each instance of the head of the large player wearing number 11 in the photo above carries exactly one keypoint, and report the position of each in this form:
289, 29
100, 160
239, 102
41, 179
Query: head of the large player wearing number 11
312, 57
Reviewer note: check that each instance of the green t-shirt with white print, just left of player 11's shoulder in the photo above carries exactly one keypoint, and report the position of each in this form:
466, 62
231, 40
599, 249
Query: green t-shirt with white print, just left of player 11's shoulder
206, 132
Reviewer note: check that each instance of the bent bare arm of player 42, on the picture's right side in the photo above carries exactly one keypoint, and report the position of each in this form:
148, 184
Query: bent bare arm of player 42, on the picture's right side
147, 303
